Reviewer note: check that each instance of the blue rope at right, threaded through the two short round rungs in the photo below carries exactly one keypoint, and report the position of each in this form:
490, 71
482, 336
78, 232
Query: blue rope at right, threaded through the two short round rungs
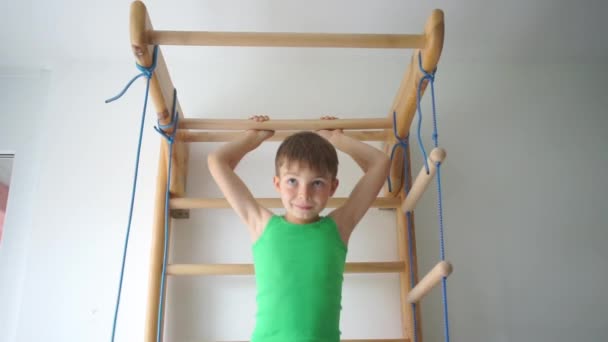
431, 78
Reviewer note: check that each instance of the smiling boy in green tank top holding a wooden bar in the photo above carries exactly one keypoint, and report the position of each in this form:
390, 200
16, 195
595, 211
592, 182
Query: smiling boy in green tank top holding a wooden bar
299, 258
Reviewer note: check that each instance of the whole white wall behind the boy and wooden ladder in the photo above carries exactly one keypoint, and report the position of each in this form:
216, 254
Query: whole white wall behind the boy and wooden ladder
523, 200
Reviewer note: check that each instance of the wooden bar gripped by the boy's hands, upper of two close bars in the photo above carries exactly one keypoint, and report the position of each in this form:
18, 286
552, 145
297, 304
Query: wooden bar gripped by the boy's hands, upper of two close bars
276, 125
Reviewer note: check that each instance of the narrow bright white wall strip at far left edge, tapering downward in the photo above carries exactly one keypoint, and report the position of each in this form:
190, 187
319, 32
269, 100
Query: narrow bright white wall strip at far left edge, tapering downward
23, 94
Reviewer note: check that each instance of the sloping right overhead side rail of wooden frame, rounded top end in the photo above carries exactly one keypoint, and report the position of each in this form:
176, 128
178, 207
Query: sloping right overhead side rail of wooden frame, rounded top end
405, 102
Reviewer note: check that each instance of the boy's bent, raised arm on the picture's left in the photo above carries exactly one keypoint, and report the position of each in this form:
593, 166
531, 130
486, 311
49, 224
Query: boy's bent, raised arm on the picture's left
222, 163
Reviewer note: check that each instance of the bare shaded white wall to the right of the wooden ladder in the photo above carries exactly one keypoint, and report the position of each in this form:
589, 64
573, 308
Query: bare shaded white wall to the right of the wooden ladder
525, 196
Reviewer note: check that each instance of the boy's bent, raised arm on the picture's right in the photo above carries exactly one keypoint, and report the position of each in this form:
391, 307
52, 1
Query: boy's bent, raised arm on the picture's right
376, 167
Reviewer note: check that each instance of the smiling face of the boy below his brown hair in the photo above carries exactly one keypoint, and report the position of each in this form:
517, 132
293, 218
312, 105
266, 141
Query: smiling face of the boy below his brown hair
304, 192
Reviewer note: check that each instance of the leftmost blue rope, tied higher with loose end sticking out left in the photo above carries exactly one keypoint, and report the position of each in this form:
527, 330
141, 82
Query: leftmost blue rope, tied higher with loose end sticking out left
147, 72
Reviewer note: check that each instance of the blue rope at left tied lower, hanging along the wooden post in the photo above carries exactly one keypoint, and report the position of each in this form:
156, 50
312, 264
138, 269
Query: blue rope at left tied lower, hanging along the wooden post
170, 140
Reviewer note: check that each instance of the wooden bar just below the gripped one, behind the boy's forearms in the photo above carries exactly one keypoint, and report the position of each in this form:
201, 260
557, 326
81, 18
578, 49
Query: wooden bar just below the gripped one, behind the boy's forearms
197, 136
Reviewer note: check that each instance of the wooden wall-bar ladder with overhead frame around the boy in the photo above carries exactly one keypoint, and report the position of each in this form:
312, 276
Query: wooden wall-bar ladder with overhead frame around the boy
429, 43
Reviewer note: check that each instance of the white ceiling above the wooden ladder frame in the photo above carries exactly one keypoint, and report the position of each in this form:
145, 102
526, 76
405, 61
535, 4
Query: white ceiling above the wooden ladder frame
41, 33
